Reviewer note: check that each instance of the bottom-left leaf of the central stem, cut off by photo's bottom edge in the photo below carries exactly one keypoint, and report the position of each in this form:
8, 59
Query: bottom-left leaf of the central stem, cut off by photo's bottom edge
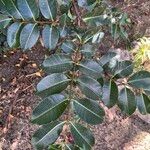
47, 135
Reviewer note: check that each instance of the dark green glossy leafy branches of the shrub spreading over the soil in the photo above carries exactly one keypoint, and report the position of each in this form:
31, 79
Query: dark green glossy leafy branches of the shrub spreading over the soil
77, 78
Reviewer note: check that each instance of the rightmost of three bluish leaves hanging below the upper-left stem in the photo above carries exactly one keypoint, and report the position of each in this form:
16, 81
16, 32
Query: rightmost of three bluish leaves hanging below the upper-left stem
50, 37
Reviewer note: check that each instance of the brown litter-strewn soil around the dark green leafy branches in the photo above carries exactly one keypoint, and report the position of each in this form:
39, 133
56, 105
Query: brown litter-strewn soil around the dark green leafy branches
19, 74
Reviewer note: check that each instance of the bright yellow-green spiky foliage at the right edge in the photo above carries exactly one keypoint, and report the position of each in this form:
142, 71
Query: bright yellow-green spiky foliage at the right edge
142, 53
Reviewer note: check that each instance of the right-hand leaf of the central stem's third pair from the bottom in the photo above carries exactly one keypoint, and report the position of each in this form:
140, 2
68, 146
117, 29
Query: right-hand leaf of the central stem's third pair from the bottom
89, 87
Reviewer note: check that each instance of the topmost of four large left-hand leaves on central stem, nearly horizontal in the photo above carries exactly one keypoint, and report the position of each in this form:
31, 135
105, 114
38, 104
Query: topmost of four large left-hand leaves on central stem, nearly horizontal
58, 63
